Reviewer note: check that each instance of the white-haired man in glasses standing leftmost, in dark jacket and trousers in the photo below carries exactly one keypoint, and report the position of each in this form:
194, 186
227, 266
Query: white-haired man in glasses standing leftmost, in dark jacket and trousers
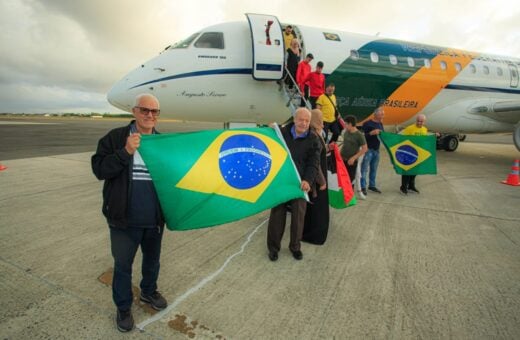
132, 210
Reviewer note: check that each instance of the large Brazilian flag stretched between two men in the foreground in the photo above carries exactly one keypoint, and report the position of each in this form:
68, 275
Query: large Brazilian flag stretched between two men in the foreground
207, 178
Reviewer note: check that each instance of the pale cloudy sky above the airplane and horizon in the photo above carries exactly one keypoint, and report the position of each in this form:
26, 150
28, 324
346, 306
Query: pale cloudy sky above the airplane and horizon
64, 55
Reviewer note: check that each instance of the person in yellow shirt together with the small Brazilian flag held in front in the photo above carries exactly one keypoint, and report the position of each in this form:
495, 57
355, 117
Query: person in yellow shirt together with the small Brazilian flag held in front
412, 152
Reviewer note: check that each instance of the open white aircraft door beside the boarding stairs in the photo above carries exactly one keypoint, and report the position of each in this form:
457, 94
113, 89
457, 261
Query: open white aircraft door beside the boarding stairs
268, 48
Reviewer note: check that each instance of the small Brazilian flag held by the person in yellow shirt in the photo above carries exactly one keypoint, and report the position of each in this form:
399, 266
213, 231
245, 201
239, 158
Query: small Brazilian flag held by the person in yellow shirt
411, 155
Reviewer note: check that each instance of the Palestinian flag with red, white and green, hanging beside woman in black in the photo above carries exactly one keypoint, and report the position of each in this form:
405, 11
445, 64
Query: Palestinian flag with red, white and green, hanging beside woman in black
341, 194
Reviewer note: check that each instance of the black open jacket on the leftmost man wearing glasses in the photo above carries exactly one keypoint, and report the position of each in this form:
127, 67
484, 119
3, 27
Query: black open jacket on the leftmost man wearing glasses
113, 164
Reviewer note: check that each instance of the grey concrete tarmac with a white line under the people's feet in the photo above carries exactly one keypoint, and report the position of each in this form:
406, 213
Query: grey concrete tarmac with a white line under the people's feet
443, 264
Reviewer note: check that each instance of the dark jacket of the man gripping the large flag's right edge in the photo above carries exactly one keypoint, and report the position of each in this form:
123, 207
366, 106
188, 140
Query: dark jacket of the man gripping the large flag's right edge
305, 153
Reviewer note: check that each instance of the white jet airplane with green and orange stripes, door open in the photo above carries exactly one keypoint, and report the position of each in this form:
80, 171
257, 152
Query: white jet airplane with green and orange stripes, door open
231, 73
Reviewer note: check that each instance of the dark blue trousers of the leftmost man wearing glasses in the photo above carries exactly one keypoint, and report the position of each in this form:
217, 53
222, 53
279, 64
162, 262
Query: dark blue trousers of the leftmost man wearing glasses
124, 244
